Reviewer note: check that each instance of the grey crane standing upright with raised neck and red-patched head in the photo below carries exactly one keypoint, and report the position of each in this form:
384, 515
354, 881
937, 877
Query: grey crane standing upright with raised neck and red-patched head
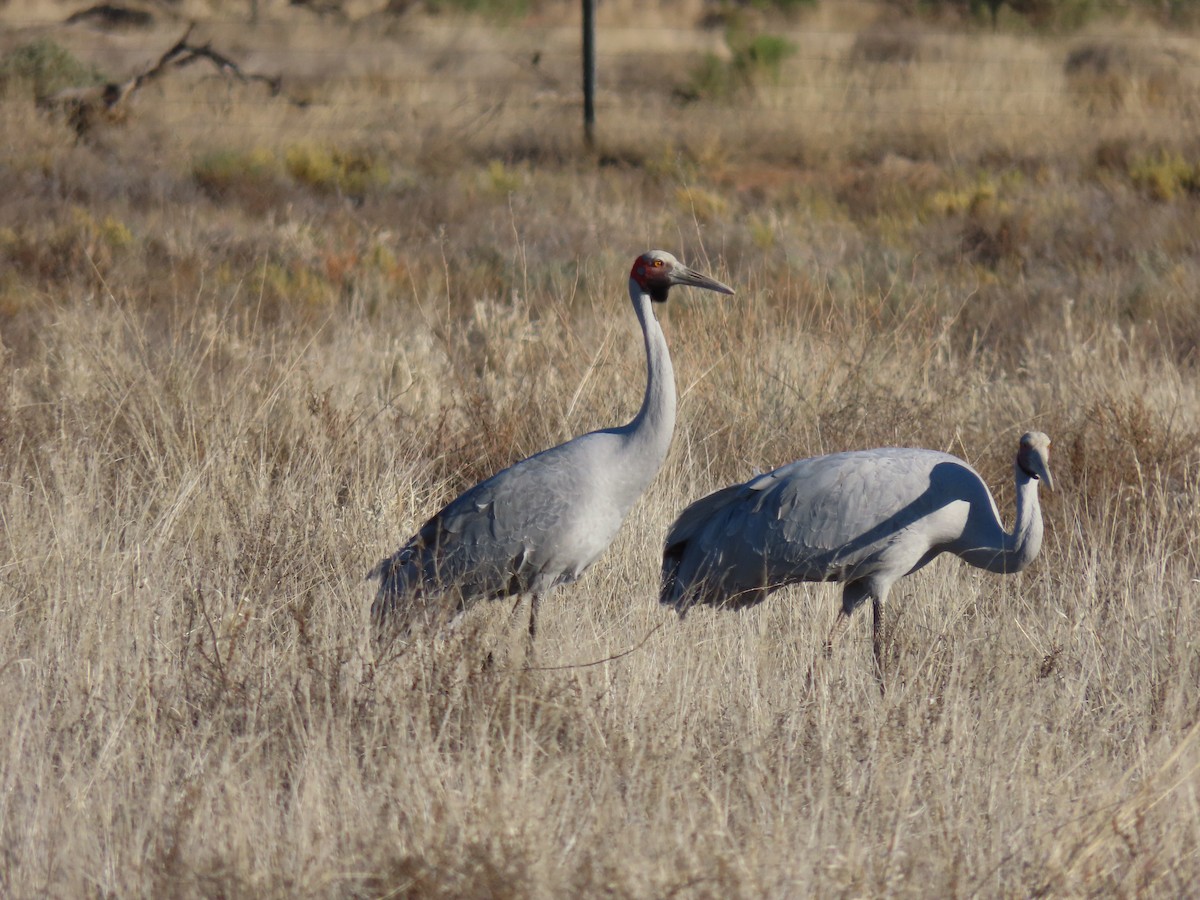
543, 521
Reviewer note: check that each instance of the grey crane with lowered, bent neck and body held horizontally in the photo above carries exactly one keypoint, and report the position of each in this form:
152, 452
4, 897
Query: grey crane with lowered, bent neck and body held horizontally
865, 518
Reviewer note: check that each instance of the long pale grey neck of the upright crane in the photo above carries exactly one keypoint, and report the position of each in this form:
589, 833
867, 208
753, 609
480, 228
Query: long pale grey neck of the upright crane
649, 435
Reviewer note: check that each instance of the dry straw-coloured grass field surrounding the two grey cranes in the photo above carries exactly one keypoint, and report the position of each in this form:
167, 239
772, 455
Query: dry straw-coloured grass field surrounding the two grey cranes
250, 343
